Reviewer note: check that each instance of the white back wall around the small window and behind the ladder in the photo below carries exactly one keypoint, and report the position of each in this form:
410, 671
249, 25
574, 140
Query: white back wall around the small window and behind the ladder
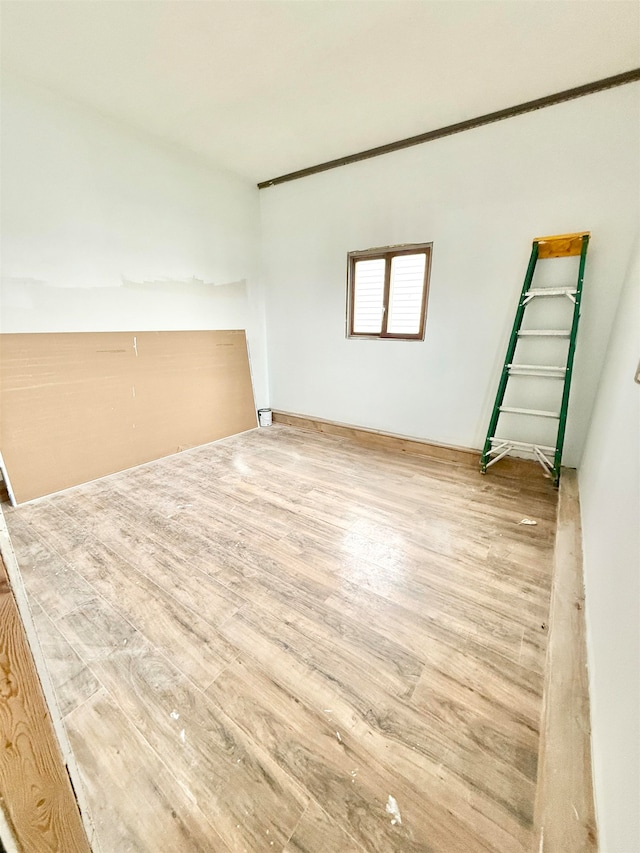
481, 197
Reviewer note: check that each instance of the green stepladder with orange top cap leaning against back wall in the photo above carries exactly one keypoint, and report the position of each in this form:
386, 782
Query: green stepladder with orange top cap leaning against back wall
495, 448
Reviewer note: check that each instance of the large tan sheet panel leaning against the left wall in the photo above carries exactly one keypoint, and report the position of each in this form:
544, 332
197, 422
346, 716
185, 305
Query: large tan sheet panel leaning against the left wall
78, 406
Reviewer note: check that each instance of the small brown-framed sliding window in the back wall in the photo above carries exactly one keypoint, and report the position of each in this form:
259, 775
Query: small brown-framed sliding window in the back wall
387, 292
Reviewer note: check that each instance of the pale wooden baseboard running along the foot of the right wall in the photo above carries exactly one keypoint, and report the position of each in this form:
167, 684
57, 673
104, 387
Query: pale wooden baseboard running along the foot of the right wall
565, 812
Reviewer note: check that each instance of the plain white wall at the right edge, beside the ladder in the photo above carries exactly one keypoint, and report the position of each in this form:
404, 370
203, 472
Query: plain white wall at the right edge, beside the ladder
609, 477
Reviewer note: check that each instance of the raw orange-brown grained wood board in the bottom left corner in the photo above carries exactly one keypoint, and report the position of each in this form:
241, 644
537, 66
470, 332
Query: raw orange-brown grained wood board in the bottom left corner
35, 792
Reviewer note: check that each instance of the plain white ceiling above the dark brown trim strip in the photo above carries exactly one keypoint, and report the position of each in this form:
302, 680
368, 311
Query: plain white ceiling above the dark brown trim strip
264, 88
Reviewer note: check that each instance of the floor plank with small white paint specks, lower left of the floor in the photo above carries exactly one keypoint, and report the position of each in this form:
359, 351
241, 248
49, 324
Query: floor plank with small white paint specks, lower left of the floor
236, 785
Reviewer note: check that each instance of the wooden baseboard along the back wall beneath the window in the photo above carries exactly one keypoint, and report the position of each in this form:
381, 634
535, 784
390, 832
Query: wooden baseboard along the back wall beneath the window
464, 456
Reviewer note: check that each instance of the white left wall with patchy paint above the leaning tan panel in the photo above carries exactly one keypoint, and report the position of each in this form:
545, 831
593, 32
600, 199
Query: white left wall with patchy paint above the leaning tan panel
106, 230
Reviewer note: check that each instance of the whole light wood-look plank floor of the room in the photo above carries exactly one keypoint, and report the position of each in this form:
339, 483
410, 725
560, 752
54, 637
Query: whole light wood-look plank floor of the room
290, 642
